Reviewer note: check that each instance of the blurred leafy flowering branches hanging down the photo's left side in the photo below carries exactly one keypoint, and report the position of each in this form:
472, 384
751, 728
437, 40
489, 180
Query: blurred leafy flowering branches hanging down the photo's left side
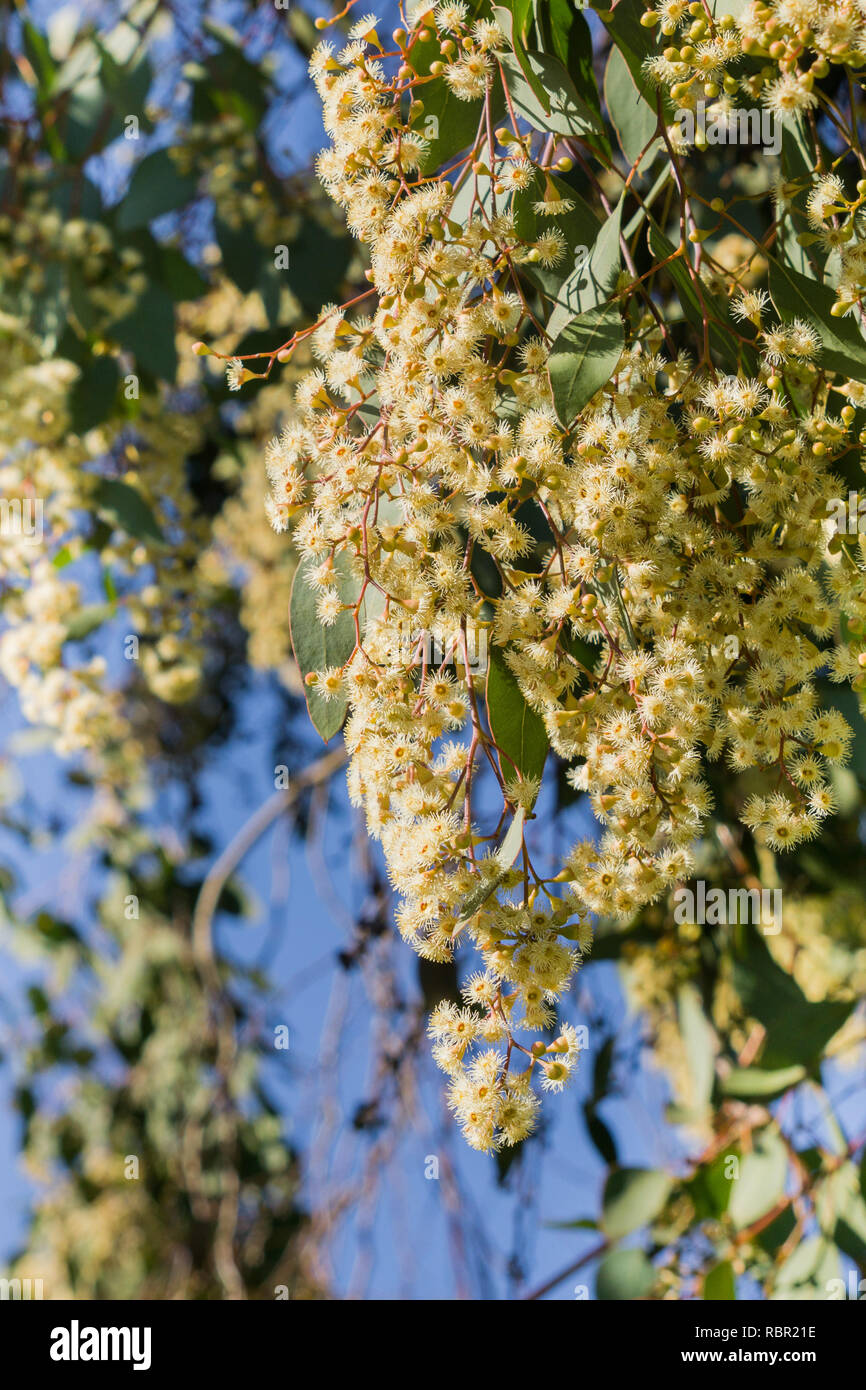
141, 204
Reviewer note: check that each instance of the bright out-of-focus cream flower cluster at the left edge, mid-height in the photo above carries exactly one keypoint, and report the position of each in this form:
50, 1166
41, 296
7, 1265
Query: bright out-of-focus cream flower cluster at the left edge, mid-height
47, 464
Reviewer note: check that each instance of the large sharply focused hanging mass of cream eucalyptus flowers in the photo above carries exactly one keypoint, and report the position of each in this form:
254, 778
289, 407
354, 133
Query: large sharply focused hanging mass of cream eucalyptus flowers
658, 621
